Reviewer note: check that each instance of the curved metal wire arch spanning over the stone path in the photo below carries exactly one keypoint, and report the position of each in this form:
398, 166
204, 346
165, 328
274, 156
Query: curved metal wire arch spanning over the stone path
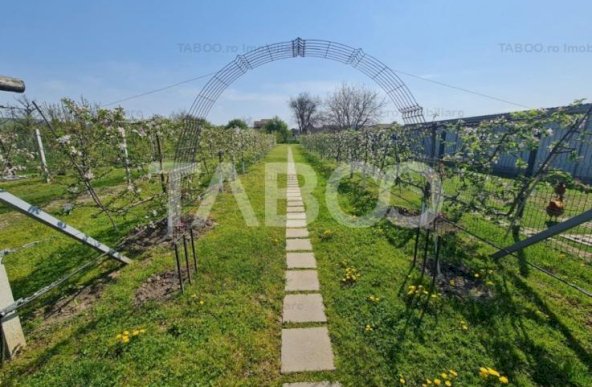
380, 73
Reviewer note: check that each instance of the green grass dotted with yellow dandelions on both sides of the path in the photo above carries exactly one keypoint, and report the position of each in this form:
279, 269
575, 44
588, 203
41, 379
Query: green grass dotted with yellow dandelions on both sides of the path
225, 329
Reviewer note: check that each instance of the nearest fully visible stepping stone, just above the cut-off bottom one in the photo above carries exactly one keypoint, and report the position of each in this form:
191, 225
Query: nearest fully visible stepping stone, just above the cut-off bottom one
306, 349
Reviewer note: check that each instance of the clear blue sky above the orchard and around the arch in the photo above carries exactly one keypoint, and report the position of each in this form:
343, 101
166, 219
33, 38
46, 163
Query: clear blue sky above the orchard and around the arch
458, 58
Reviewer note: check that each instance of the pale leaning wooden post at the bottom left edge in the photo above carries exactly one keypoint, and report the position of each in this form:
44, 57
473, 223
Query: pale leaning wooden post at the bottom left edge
13, 338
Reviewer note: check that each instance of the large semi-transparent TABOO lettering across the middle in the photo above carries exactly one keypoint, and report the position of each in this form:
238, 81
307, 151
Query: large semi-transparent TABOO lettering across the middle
385, 180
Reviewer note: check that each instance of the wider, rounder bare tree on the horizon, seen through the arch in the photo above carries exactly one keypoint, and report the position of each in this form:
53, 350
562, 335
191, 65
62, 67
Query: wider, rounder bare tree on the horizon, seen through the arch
351, 107
